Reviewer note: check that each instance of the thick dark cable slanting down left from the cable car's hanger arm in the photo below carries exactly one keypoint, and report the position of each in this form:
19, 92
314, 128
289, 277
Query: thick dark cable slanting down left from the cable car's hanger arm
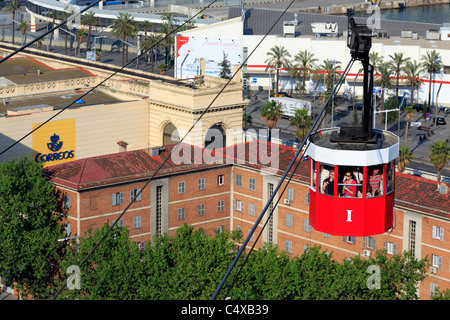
297, 155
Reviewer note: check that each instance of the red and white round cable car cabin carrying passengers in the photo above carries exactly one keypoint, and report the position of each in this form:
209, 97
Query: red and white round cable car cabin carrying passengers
359, 201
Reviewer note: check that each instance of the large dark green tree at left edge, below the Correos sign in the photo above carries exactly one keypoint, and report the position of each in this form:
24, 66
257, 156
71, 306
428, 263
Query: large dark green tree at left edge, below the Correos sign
29, 231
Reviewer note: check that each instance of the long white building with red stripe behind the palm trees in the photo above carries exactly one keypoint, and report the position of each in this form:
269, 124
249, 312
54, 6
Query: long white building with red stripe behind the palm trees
250, 33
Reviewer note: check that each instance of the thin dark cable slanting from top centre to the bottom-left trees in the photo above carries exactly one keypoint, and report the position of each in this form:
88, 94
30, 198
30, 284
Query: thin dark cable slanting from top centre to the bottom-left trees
175, 148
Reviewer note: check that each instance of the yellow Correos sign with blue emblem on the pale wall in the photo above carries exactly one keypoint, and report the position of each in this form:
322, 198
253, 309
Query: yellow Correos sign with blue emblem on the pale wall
54, 142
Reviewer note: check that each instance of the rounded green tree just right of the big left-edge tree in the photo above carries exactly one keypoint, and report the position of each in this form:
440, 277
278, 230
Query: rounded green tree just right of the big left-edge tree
112, 271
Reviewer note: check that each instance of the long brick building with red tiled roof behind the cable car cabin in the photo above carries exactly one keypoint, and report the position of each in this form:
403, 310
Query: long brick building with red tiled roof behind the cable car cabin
230, 193
